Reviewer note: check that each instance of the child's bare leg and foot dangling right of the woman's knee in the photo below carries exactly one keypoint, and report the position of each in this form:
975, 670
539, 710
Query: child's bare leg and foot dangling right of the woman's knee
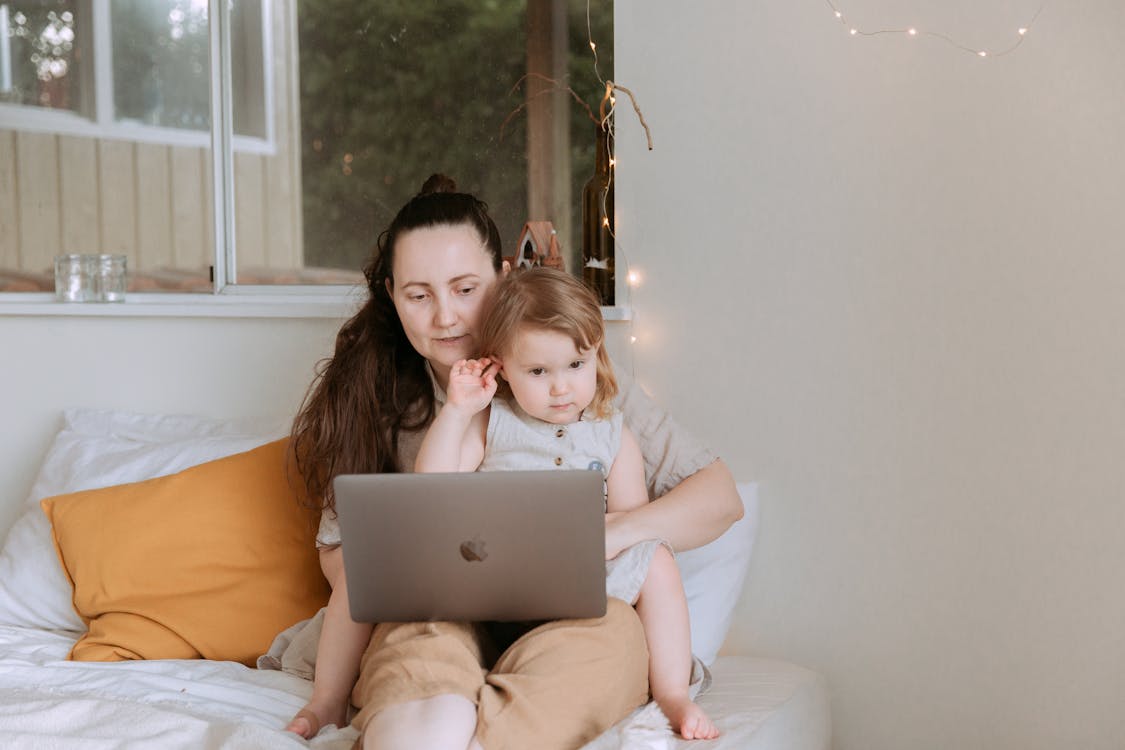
663, 612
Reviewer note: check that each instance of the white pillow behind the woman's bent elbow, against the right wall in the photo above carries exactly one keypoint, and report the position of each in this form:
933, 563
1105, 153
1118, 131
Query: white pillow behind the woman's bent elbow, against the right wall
714, 576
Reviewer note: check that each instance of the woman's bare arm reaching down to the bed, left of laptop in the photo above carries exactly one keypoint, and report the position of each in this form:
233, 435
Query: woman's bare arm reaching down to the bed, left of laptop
338, 655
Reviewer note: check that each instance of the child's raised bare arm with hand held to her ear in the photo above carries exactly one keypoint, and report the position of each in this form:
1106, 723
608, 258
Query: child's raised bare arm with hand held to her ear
456, 439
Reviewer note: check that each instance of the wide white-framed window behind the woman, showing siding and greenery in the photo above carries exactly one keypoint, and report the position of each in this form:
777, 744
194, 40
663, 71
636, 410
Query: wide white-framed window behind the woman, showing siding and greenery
339, 112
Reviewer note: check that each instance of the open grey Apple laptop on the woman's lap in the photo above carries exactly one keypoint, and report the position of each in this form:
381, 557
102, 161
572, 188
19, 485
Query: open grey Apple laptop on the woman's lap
497, 546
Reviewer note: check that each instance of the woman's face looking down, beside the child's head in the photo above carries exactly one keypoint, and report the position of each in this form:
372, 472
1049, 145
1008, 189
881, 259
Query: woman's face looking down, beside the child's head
440, 281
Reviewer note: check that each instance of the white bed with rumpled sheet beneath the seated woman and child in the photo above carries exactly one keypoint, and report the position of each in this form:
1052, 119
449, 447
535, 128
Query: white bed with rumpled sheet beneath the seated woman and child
47, 702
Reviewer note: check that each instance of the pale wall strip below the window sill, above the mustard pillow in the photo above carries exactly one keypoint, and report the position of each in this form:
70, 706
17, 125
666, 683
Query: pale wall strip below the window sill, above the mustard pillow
214, 367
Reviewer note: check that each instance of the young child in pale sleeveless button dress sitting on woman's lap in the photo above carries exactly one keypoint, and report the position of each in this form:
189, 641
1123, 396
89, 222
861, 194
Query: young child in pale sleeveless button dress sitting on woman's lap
544, 337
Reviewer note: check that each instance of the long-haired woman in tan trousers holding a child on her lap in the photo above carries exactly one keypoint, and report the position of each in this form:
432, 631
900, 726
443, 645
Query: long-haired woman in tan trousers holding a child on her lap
422, 685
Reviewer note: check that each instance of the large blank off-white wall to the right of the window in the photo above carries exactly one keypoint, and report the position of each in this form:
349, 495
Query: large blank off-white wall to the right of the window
903, 266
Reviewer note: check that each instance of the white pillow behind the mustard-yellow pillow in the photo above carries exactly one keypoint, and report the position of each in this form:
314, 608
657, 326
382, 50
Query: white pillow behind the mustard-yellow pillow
102, 449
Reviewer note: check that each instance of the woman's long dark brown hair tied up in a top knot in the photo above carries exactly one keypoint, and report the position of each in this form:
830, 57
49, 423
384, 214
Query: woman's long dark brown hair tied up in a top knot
376, 385
